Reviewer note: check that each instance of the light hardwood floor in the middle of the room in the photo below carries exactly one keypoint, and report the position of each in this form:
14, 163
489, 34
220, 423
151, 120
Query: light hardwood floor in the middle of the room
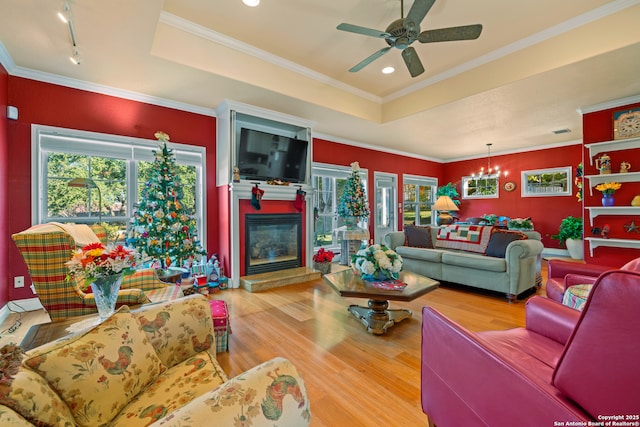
353, 378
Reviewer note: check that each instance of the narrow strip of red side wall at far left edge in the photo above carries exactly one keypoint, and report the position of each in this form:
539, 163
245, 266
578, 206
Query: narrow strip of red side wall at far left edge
4, 186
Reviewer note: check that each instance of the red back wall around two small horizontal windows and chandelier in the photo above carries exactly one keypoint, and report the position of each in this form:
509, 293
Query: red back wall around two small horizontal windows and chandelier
545, 212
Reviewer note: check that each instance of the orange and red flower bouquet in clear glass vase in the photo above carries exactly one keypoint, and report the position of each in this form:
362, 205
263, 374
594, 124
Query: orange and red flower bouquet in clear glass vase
102, 268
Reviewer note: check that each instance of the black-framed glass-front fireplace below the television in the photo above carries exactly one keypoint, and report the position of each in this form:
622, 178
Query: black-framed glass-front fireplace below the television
272, 242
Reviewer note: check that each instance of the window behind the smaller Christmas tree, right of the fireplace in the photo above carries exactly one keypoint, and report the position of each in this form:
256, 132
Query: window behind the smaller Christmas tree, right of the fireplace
328, 183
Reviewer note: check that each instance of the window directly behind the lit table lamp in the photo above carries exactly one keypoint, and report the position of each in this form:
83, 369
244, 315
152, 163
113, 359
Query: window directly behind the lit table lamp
417, 197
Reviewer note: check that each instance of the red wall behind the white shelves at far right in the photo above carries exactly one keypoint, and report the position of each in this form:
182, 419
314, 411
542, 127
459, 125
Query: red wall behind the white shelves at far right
598, 127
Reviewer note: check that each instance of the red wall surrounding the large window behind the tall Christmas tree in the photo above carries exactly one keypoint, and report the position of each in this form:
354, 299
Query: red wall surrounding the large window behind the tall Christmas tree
53, 105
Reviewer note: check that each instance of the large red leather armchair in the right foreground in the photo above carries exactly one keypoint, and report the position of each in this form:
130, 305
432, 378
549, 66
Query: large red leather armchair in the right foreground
565, 365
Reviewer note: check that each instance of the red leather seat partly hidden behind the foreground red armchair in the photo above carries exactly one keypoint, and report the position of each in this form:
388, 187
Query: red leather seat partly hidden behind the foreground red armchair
563, 274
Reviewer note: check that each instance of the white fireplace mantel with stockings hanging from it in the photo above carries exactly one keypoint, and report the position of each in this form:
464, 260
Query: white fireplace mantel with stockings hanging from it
242, 191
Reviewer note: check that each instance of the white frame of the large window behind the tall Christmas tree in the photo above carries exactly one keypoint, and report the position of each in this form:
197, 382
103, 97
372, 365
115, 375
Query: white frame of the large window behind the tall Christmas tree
47, 139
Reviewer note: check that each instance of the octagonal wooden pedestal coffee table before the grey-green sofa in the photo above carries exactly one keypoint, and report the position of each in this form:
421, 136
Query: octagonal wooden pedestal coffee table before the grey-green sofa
377, 317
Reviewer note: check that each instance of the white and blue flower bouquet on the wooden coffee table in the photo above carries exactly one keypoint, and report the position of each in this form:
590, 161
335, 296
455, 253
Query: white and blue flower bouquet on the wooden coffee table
377, 262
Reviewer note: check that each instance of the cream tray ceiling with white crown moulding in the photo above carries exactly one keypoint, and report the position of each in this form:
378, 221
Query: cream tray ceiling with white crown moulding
534, 65
